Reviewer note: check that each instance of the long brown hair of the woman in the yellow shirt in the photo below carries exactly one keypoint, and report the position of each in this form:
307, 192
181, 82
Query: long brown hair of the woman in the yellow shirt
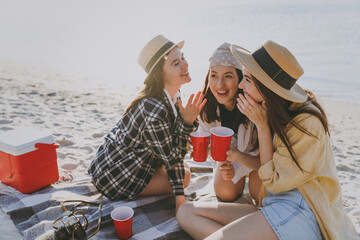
280, 117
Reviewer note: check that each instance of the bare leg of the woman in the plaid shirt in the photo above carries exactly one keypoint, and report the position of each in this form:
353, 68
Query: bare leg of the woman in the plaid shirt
159, 183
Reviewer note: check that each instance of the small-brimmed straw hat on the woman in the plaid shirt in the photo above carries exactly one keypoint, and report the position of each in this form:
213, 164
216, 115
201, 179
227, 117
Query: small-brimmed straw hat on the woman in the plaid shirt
154, 50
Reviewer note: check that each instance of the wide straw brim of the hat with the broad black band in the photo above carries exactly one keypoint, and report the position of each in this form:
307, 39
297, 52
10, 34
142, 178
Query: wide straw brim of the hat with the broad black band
295, 94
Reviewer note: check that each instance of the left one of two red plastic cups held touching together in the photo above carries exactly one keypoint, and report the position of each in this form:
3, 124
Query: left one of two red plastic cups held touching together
200, 143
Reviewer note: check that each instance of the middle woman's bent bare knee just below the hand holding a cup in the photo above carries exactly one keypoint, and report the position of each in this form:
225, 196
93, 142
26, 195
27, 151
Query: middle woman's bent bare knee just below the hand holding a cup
227, 191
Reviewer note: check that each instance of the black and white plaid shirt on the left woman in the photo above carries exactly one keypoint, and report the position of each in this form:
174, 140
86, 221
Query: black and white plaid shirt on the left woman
148, 135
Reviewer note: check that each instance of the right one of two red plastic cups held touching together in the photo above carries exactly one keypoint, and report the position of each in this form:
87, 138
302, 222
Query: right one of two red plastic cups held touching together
220, 142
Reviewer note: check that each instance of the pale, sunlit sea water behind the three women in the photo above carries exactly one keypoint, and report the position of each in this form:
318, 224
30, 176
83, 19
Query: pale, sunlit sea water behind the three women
101, 40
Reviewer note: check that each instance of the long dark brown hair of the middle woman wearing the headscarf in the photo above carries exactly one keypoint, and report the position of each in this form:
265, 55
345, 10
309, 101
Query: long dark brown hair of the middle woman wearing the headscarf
209, 112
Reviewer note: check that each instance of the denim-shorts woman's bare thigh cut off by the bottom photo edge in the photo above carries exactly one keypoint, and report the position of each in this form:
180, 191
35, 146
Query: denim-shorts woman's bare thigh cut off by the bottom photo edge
253, 226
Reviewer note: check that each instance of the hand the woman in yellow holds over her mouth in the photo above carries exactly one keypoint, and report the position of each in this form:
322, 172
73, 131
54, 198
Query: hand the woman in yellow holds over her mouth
257, 113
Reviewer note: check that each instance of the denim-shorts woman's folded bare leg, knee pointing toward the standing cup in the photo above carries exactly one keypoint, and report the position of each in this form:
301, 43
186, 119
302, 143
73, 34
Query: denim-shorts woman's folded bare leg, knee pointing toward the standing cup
200, 219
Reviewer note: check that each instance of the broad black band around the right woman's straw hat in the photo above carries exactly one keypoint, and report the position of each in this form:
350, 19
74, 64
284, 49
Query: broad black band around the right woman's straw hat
272, 69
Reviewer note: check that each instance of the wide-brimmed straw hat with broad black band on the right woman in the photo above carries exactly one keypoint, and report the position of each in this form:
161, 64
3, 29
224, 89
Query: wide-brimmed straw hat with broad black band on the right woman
275, 67
